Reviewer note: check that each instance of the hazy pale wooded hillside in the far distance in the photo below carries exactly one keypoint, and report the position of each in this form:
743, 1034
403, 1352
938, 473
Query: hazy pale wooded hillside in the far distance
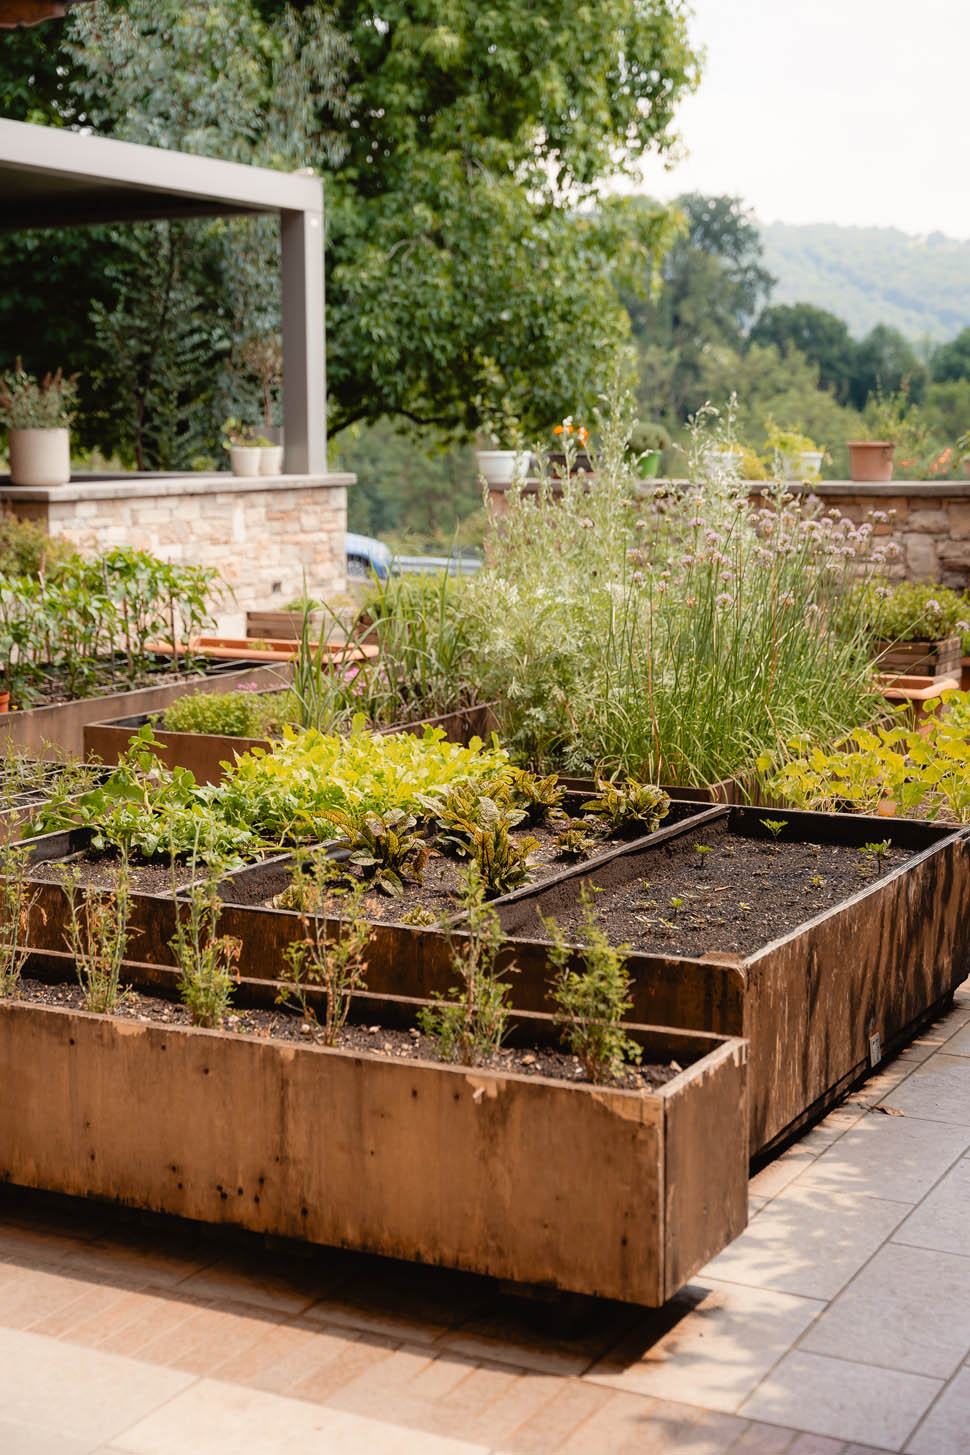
872, 276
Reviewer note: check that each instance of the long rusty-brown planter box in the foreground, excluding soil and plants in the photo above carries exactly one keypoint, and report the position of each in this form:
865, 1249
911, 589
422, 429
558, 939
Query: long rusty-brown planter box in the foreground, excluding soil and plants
591, 1189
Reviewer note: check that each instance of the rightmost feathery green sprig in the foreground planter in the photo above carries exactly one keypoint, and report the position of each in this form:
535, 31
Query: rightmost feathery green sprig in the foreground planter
594, 1002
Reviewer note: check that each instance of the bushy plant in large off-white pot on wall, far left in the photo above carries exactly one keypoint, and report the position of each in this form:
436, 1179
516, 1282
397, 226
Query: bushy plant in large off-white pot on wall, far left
39, 418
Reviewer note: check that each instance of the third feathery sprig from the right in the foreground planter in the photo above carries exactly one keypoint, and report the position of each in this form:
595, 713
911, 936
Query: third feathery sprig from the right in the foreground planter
331, 957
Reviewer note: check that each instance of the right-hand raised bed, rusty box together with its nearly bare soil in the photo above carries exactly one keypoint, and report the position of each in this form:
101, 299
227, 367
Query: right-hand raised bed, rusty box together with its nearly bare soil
812, 992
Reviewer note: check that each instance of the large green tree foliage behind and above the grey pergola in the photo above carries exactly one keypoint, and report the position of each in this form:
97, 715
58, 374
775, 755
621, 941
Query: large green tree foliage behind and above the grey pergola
462, 148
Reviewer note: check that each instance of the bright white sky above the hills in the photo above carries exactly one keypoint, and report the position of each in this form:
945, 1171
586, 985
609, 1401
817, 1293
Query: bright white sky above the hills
834, 111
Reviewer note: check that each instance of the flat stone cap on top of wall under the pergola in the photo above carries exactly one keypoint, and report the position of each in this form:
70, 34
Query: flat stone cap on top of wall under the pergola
152, 487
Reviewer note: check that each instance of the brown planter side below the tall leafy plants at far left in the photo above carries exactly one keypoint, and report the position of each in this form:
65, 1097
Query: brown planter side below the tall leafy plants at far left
60, 730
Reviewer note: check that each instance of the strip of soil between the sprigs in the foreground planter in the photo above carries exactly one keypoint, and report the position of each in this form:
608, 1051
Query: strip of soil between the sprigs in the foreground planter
404, 1045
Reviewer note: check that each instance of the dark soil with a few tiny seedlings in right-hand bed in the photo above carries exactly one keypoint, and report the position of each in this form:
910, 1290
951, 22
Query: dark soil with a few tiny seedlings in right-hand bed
737, 898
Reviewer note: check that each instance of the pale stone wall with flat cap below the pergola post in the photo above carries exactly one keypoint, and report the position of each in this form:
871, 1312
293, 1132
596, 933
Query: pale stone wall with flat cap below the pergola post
264, 536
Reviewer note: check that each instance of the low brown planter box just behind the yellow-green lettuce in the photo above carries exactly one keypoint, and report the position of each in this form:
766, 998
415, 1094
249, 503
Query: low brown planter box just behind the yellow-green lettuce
207, 754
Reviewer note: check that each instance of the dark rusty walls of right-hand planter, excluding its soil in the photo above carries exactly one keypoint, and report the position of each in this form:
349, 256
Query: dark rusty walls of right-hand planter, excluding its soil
882, 962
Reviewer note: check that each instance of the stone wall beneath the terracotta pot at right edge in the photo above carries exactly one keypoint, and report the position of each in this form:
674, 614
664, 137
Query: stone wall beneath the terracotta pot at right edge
930, 523
